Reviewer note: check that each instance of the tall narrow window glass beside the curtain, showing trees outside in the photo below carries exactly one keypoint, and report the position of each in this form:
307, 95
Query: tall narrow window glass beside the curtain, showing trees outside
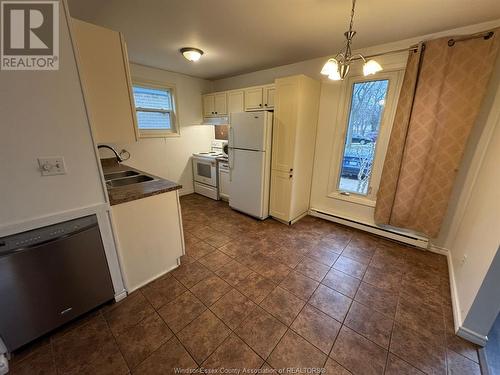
365, 116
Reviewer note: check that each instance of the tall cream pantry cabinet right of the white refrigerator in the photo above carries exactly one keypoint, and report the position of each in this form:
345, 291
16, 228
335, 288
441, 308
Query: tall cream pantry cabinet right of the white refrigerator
294, 138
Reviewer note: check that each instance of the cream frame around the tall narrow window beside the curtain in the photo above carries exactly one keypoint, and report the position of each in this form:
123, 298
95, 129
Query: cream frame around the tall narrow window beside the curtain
395, 78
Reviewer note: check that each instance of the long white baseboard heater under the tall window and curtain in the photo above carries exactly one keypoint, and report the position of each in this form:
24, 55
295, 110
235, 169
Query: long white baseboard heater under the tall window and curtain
409, 239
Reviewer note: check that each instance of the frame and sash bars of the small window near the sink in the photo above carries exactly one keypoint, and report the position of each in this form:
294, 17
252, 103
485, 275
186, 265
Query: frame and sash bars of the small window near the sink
174, 112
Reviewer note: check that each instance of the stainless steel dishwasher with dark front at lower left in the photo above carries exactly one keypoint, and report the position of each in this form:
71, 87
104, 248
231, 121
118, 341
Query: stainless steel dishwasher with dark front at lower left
49, 276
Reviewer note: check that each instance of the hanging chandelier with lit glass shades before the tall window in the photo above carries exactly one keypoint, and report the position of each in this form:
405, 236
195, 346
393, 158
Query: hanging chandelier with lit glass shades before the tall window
337, 68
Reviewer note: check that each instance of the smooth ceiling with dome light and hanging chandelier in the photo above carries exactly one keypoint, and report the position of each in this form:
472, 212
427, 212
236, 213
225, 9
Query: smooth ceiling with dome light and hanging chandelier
240, 36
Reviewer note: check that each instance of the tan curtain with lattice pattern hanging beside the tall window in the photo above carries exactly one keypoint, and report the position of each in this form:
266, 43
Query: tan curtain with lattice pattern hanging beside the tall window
441, 95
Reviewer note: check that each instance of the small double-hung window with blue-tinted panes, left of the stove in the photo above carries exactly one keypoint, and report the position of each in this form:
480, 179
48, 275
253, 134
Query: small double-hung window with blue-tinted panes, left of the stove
155, 109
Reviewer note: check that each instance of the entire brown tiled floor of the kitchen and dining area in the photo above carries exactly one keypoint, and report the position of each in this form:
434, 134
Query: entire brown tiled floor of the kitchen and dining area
260, 294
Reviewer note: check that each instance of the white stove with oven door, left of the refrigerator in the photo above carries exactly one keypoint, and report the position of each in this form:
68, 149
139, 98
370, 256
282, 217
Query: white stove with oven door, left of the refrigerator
205, 169
